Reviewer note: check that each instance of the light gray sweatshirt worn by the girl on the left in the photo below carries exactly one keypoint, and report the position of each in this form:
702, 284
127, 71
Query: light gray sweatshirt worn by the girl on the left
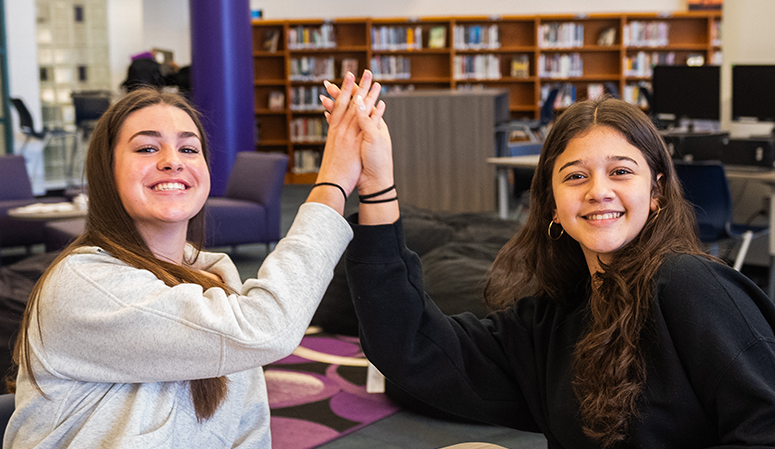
118, 346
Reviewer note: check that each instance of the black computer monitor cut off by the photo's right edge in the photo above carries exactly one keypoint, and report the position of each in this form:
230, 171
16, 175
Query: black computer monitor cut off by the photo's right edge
753, 93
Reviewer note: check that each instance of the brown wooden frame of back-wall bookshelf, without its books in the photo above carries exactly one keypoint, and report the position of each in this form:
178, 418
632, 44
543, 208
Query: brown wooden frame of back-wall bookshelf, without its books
691, 34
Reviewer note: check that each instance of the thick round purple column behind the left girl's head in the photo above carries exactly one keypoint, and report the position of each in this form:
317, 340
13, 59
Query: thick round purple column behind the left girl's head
222, 81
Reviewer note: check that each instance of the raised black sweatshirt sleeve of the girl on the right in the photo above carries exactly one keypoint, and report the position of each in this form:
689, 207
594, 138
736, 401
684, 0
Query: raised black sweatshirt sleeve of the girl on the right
456, 363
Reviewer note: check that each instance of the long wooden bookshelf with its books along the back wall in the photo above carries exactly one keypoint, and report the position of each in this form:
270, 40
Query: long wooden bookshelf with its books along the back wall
469, 52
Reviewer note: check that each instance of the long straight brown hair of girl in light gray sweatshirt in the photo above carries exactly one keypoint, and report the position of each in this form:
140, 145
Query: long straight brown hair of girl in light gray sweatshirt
109, 226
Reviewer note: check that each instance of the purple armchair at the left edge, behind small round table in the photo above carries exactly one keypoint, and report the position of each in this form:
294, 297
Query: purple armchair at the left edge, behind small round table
16, 191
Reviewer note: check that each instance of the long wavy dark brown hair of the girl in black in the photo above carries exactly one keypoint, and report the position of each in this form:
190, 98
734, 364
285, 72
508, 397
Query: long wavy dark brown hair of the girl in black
609, 369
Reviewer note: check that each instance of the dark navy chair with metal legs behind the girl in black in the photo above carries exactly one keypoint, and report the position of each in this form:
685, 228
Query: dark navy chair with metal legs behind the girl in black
706, 187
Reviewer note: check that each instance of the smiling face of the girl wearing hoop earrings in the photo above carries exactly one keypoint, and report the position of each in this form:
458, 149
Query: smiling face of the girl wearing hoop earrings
603, 192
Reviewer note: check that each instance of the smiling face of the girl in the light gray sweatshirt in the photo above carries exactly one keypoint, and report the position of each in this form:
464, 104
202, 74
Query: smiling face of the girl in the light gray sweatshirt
160, 170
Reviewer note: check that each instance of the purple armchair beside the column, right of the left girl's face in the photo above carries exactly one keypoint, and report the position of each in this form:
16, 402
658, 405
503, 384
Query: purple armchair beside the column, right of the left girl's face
249, 211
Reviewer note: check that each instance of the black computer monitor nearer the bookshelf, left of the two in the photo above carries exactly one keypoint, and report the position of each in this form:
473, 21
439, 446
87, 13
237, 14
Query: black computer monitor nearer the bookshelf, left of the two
686, 92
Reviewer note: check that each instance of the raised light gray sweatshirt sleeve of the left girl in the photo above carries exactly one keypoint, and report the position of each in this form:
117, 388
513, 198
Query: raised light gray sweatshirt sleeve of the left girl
104, 321
